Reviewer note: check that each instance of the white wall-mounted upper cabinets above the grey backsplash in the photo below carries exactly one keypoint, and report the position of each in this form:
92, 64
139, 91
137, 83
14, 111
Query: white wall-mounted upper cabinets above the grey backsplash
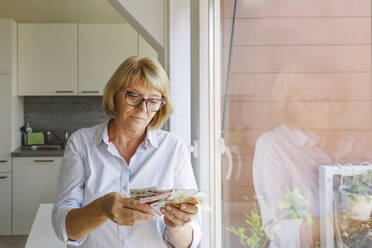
74, 59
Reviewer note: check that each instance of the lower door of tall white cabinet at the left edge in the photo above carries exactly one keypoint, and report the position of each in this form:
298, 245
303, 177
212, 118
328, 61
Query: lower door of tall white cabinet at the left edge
5, 203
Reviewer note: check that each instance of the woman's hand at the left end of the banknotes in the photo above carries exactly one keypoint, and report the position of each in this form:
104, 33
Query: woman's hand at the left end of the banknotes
125, 211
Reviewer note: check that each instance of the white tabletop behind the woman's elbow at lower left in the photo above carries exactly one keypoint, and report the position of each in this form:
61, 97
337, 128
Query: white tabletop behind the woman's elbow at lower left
42, 232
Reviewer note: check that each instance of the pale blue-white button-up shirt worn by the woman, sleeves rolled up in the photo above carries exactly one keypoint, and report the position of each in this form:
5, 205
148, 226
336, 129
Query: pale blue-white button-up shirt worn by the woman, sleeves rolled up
92, 167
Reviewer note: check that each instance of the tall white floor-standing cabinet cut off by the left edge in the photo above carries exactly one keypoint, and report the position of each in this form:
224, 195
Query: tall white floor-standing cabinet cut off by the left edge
11, 112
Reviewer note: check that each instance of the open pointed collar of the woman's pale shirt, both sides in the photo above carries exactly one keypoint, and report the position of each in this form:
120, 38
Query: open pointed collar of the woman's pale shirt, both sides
102, 135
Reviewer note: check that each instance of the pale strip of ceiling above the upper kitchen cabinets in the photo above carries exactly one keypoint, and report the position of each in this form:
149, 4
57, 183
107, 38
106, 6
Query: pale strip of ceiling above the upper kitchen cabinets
70, 11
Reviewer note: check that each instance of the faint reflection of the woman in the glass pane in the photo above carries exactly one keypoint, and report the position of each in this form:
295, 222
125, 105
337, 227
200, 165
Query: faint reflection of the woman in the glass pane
287, 158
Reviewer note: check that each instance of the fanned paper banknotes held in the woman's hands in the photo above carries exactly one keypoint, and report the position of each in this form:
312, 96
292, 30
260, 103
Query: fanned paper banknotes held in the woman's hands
160, 198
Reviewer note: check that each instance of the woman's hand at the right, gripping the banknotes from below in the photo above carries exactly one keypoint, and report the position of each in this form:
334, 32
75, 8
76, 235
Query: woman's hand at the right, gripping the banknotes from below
179, 216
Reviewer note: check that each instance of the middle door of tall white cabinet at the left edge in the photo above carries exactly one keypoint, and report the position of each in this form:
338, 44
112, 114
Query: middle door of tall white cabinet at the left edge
5, 146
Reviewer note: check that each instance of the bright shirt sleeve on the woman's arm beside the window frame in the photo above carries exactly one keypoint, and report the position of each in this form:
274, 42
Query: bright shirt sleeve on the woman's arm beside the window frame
185, 179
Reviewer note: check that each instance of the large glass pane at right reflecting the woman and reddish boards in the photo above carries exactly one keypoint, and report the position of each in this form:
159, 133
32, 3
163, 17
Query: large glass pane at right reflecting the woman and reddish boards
298, 123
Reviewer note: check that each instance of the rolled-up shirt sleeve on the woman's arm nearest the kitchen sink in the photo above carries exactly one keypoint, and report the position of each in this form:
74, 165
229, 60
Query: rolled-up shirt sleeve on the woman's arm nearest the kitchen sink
70, 190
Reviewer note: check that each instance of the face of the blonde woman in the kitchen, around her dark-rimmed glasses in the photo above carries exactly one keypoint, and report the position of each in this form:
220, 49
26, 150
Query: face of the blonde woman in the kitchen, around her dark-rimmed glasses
135, 118
